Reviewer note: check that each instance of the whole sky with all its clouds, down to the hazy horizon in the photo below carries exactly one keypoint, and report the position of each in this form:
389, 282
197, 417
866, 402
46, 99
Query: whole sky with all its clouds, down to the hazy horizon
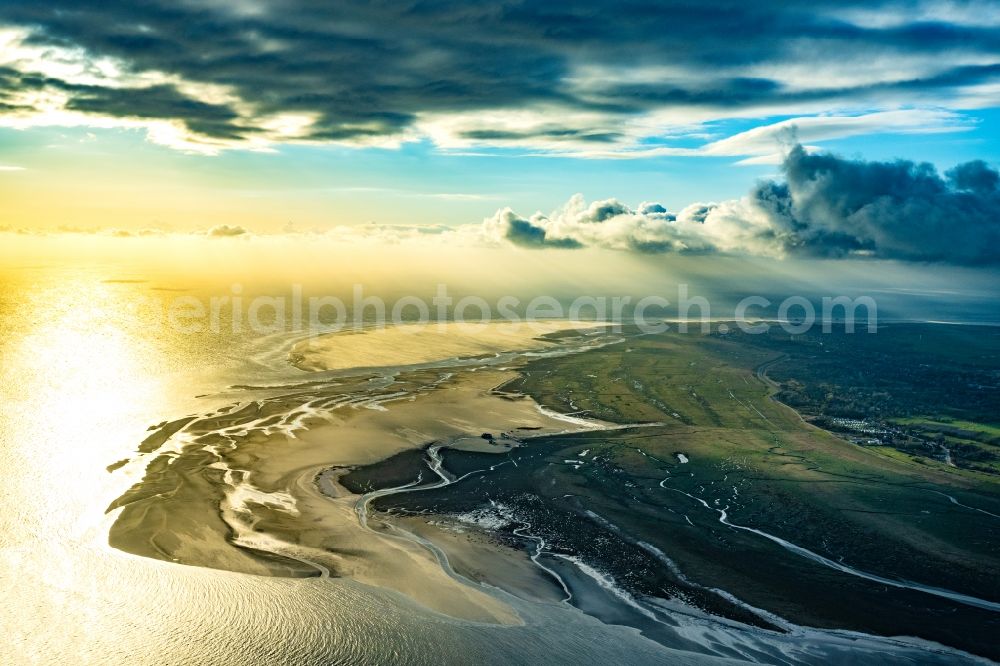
834, 130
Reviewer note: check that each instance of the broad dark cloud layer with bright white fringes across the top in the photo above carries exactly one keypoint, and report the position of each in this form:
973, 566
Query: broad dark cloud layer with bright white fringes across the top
591, 74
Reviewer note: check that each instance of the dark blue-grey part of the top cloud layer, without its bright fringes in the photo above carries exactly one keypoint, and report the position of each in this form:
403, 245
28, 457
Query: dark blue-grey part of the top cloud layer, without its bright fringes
369, 69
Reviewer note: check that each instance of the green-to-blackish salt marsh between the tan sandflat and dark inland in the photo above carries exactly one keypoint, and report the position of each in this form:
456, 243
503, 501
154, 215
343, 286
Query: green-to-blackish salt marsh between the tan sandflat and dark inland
700, 399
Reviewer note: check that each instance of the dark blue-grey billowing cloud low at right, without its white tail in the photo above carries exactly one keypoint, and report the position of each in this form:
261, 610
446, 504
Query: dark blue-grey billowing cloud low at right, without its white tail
830, 206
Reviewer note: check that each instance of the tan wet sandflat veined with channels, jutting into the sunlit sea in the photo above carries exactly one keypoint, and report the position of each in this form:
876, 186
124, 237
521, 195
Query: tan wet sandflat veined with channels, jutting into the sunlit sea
253, 488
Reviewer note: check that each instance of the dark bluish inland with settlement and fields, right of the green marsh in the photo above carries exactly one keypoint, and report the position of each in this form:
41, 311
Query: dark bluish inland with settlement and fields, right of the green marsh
930, 391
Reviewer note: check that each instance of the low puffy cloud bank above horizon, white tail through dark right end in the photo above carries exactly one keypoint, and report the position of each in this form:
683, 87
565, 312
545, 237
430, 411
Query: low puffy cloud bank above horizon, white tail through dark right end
826, 206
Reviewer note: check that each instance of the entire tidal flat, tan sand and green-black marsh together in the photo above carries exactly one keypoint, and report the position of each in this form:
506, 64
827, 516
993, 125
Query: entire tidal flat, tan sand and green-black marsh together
641, 479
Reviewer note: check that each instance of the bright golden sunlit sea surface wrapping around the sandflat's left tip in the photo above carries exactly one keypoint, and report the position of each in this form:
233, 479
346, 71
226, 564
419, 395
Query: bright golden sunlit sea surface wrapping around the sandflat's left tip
87, 366
